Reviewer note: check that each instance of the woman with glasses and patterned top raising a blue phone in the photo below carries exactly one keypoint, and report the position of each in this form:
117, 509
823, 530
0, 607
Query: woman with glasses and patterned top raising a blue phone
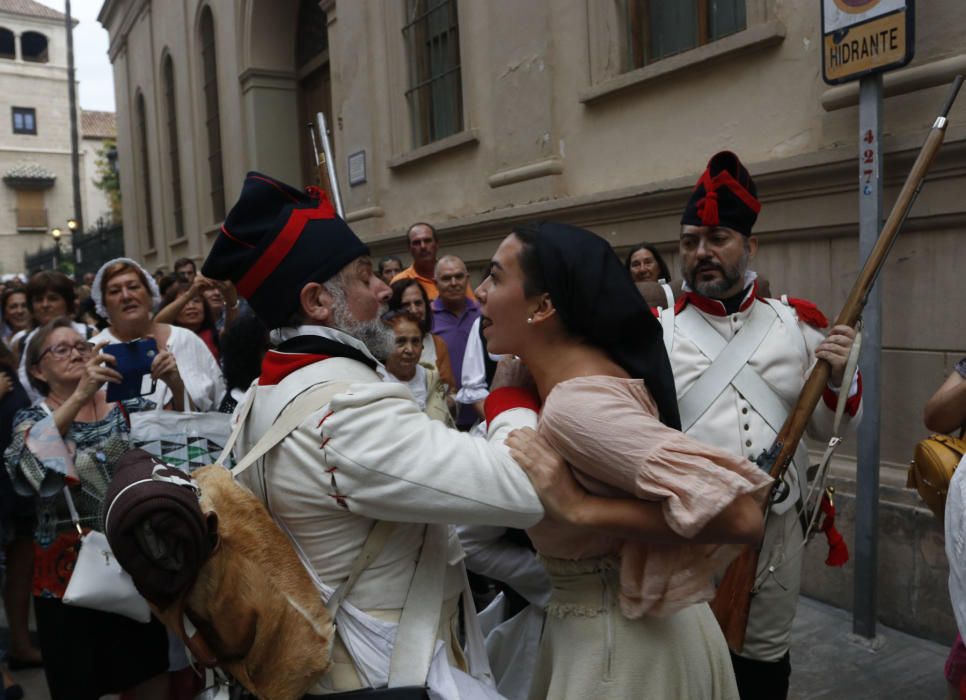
64, 450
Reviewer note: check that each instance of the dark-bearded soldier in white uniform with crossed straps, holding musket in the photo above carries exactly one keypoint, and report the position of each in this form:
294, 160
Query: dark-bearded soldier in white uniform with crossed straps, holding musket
739, 363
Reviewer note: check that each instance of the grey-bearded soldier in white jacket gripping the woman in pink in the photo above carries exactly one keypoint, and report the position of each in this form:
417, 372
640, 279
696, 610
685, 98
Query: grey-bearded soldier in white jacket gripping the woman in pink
365, 454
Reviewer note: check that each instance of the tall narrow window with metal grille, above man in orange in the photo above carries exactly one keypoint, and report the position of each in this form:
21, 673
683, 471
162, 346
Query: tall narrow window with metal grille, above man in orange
435, 94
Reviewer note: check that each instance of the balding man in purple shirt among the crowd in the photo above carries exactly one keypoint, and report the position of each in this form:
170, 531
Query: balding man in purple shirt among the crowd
453, 317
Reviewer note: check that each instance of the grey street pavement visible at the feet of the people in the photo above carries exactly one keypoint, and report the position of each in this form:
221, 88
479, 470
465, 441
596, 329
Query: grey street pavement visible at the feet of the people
826, 664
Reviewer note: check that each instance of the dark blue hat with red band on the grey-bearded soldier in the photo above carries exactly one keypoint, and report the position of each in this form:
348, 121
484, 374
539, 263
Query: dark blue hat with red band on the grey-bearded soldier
275, 240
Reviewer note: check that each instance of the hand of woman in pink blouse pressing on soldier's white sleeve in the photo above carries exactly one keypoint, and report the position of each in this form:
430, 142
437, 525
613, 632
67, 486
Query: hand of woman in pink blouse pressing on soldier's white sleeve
562, 497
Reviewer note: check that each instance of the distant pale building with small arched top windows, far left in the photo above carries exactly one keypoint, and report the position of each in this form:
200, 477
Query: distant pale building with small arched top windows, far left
36, 194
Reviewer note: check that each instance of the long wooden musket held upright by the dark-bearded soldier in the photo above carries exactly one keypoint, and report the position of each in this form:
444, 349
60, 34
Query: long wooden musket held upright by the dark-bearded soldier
732, 602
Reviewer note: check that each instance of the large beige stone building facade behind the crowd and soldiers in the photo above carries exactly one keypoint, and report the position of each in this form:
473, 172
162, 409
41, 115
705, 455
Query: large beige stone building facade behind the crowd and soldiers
602, 113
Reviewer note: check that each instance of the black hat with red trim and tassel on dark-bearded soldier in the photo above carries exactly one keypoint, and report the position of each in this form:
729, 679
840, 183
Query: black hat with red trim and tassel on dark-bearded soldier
724, 196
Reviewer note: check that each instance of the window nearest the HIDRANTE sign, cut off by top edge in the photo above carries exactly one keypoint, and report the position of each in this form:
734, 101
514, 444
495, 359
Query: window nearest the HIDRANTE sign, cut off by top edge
657, 29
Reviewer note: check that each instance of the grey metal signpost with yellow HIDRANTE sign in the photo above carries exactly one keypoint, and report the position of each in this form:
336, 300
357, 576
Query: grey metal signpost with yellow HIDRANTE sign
862, 39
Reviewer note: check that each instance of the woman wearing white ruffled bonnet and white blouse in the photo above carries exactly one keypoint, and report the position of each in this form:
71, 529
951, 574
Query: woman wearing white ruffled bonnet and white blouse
126, 295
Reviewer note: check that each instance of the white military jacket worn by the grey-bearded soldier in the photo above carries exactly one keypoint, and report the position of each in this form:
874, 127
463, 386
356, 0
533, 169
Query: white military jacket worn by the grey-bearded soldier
372, 454
